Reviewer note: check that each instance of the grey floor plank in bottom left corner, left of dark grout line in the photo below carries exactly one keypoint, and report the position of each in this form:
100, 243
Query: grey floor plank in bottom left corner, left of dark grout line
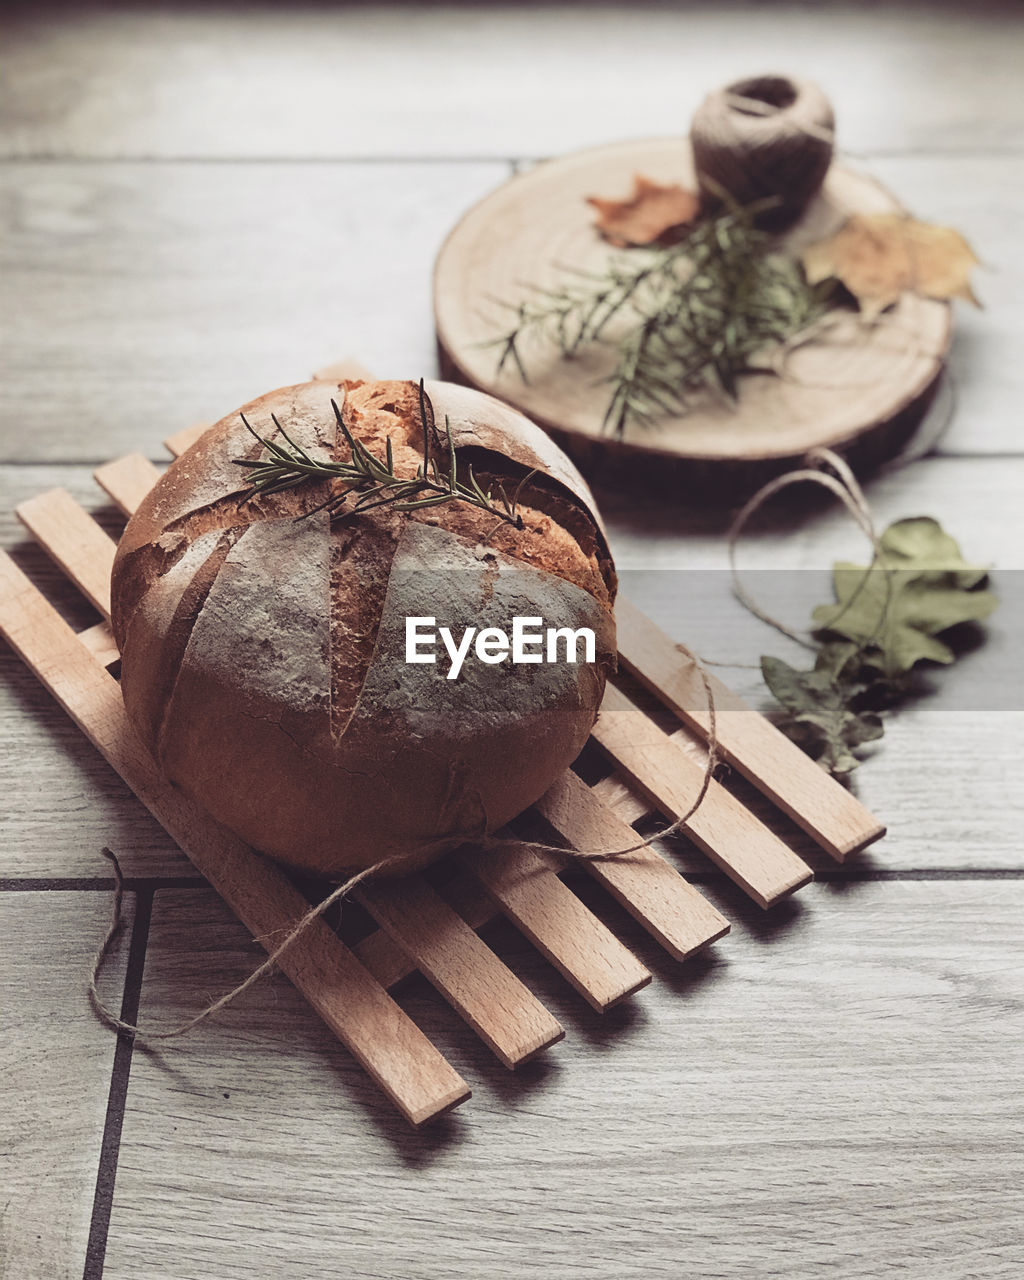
63, 1081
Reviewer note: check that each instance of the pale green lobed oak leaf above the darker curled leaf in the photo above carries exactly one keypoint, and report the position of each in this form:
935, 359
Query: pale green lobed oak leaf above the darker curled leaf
895, 611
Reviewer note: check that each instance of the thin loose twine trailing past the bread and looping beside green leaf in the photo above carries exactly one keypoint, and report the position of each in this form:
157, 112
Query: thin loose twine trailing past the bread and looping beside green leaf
822, 468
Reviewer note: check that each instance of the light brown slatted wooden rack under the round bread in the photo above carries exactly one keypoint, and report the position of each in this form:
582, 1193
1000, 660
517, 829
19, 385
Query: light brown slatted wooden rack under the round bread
420, 929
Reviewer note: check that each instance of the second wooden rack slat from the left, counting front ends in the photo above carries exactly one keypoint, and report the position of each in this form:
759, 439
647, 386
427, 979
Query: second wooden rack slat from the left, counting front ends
504, 1013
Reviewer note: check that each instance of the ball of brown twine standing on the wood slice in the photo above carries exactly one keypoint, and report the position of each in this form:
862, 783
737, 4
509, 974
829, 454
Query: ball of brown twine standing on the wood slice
770, 138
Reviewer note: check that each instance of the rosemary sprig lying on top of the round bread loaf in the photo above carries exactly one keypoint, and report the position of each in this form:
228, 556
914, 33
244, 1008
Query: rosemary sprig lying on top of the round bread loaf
374, 479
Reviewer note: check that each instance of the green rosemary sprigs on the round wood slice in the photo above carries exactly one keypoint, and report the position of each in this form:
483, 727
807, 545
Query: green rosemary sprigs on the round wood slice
688, 318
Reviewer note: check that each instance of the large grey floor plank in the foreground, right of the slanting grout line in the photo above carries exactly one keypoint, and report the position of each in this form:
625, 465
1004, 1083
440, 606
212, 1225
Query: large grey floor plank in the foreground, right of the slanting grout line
836, 1092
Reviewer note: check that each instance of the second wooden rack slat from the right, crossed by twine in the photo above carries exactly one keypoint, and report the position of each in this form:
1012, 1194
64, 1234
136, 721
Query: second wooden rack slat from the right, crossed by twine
733, 838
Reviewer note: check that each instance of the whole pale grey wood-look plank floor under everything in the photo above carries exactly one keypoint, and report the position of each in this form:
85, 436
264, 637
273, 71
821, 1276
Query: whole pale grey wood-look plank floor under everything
199, 204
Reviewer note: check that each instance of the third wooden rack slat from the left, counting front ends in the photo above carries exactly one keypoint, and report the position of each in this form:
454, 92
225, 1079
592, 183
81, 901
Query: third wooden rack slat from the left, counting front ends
561, 927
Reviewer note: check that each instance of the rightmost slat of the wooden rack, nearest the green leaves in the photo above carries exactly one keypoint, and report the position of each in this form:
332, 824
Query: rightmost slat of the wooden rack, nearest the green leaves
776, 766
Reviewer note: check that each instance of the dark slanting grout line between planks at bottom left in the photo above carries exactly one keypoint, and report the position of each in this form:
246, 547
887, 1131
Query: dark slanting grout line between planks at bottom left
103, 1201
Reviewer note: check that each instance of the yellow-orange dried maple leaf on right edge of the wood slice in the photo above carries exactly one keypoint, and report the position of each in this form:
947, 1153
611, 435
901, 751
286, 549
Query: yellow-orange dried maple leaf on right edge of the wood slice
880, 257
